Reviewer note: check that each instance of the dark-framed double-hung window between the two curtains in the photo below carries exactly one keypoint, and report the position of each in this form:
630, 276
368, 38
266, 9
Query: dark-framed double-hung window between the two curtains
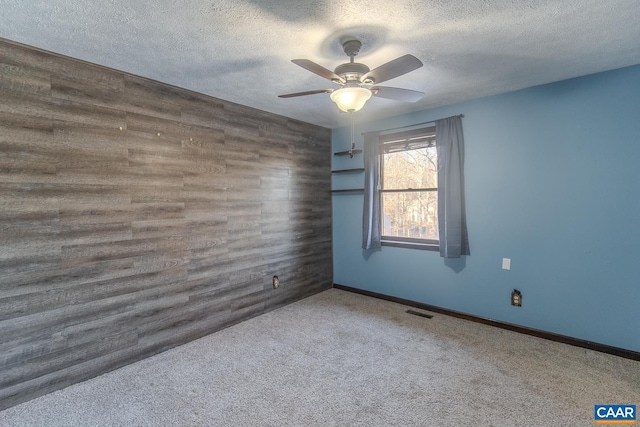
409, 189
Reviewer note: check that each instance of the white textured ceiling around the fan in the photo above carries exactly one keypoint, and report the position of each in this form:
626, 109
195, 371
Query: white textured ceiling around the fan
240, 50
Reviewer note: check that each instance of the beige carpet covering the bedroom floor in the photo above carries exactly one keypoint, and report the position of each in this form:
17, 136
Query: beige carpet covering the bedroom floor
341, 359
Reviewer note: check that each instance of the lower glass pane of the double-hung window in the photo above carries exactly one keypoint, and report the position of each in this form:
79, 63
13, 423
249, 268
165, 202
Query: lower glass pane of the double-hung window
412, 214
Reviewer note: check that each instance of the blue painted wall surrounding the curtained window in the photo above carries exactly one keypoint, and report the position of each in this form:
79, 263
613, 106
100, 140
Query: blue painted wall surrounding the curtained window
552, 182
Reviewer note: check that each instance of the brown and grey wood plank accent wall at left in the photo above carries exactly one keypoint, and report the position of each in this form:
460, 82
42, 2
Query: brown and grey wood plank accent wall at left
136, 216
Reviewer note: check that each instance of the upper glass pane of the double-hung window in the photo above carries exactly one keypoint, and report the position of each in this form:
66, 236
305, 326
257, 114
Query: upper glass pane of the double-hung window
410, 169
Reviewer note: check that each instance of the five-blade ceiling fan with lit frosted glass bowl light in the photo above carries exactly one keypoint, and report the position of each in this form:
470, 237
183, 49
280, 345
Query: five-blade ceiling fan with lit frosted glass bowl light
358, 83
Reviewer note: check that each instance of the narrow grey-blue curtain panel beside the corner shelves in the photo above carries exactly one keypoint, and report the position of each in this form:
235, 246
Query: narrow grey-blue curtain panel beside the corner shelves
371, 212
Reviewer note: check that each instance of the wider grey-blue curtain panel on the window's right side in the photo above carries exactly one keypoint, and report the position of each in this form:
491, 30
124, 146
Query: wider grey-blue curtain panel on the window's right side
452, 221
